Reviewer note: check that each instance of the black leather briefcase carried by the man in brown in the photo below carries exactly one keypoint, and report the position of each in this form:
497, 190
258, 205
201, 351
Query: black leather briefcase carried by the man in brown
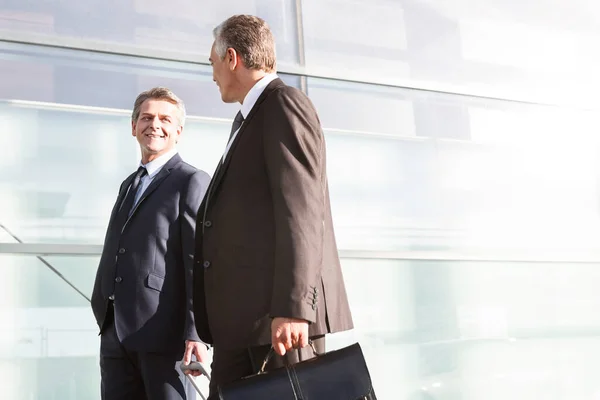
335, 375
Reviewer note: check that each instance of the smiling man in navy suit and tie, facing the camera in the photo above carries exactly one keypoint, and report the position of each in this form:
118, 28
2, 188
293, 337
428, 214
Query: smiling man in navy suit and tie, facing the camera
143, 290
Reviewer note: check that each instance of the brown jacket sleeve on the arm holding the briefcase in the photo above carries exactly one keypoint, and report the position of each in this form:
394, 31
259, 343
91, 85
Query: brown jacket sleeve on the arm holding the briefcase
294, 157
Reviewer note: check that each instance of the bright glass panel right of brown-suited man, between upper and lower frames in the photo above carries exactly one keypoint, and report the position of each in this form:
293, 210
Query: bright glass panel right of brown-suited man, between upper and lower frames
415, 170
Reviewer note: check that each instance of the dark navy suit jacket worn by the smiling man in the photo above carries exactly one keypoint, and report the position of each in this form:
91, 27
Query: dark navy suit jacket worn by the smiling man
148, 266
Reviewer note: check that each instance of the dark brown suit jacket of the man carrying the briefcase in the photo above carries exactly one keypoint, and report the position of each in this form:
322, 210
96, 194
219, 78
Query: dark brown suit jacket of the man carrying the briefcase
265, 245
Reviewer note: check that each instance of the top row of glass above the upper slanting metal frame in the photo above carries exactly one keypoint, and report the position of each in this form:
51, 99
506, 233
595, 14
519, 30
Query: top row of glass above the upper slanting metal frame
535, 49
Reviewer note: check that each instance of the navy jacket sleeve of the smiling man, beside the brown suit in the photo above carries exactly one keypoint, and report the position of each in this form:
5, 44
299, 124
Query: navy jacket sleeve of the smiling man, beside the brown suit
189, 209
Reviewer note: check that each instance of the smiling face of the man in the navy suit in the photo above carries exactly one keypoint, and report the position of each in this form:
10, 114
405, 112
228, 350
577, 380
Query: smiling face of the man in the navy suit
157, 128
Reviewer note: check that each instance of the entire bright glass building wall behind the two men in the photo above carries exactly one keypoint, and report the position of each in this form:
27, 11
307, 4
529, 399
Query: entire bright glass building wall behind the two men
469, 226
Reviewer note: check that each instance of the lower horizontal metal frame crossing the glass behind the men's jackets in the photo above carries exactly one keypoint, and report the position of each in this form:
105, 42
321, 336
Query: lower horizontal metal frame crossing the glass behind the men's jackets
50, 249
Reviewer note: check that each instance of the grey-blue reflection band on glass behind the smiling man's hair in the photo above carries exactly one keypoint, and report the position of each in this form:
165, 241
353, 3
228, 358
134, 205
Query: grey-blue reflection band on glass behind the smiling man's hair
63, 76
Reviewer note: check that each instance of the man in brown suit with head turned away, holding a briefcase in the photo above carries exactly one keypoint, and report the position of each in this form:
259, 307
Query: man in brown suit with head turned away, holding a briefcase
267, 268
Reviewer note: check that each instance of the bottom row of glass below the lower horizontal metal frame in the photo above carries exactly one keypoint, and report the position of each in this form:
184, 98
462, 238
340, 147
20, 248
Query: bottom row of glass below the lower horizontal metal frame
428, 329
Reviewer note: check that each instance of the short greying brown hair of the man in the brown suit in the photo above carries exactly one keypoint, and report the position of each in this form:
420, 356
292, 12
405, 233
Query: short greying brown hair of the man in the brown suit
251, 38
